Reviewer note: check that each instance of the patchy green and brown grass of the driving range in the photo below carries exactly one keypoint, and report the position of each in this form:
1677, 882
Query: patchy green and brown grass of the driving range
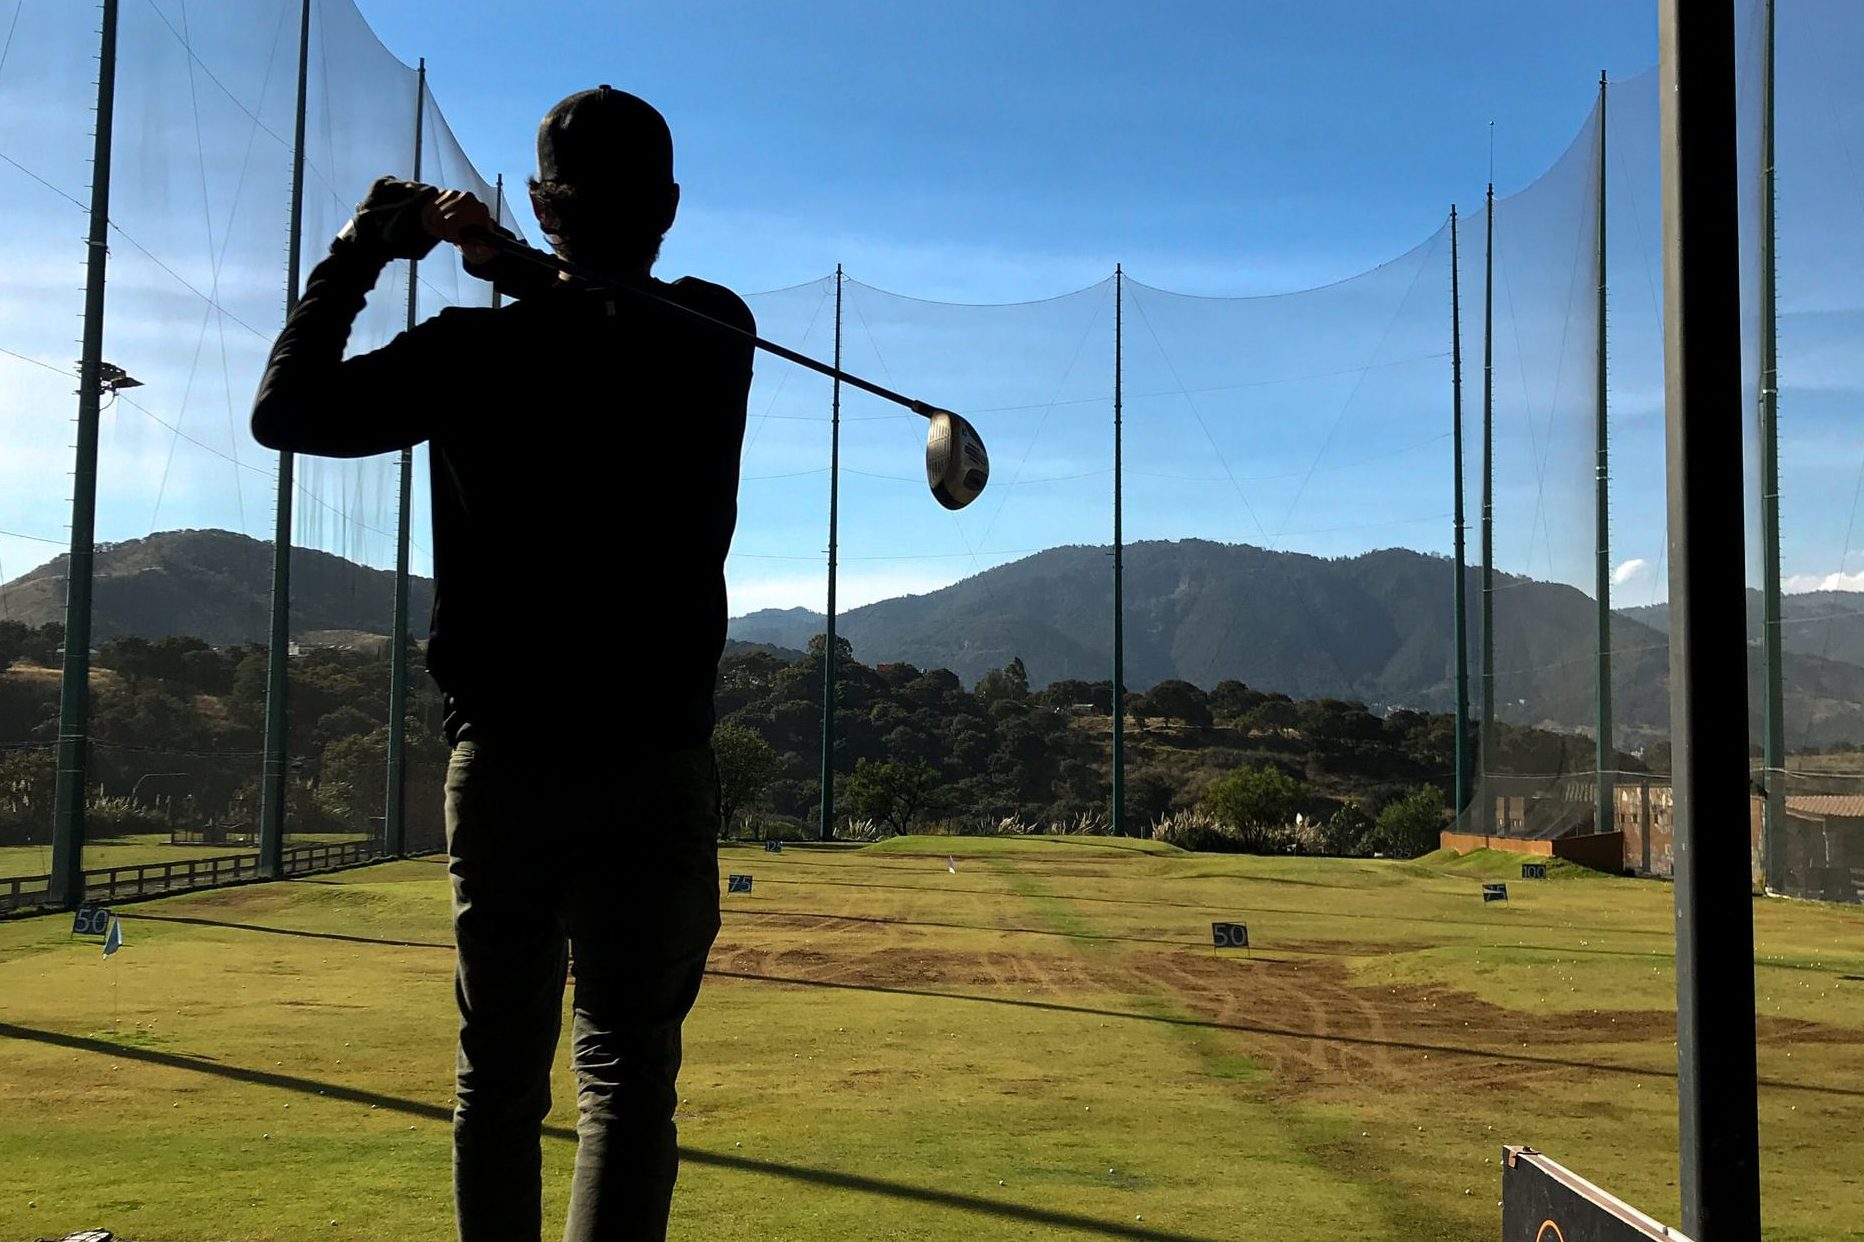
1041, 1045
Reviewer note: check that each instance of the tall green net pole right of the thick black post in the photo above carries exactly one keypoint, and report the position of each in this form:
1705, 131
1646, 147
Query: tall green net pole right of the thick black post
1774, 691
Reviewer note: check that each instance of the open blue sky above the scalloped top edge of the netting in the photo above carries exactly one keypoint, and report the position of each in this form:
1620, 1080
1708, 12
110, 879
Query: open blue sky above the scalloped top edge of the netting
1004, 152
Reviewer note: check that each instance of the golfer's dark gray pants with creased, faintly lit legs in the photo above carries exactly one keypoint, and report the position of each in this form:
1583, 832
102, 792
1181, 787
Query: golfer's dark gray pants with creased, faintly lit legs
541, 874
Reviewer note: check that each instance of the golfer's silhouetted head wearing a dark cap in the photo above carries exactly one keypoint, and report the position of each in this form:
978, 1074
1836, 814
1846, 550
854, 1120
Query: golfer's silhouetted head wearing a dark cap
605, 189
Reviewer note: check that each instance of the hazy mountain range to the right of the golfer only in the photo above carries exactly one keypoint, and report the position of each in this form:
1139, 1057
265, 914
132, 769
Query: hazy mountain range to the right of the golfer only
1375, 628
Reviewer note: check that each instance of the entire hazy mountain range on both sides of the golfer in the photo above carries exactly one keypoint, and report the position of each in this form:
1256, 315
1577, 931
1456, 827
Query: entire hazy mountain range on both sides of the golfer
1373, 628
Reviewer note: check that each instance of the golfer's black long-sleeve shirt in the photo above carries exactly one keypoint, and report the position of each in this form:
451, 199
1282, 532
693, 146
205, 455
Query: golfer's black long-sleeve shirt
584, 454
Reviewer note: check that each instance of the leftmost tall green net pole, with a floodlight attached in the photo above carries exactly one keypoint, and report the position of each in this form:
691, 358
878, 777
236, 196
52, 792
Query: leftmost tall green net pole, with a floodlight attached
75, 691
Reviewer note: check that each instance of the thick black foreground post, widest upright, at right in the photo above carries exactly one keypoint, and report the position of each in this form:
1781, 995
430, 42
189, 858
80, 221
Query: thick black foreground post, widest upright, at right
1716, 1083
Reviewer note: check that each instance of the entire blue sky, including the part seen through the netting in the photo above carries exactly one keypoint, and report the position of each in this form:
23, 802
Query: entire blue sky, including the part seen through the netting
1231, 156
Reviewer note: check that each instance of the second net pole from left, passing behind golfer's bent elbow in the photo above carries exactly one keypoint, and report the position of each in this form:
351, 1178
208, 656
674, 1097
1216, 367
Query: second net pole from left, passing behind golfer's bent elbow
279, 655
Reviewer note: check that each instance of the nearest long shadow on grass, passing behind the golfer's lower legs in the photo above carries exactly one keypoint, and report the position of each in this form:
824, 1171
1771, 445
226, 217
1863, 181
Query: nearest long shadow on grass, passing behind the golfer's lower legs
720, 1161
